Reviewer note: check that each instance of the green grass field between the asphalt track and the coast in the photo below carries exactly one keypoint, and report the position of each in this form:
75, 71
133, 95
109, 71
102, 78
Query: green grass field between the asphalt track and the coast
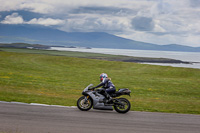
52, 79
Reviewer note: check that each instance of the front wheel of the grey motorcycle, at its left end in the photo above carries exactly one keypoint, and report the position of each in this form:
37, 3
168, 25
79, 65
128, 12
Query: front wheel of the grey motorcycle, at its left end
84, 103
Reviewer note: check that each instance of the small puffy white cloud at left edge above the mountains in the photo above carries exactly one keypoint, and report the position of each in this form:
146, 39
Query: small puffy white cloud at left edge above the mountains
13, 19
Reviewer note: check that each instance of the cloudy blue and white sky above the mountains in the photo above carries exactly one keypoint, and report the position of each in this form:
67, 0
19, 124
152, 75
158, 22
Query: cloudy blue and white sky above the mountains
153, 21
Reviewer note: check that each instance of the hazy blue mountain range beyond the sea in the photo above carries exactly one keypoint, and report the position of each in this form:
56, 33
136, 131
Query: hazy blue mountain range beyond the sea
45, 35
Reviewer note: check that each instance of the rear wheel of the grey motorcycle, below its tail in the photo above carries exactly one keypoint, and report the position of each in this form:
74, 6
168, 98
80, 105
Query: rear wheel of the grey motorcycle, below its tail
123, 106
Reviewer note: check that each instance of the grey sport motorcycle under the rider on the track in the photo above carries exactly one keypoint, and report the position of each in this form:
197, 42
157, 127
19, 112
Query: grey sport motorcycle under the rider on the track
93, 98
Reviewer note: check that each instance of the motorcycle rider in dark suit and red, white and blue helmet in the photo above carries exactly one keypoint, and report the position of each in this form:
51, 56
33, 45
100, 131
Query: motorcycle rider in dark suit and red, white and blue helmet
107, 86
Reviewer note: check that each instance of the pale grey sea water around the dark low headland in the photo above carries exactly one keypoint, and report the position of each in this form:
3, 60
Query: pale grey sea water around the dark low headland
183, 56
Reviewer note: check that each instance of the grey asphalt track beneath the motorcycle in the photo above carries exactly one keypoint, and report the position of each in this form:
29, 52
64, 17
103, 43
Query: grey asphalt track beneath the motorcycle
21, 118
